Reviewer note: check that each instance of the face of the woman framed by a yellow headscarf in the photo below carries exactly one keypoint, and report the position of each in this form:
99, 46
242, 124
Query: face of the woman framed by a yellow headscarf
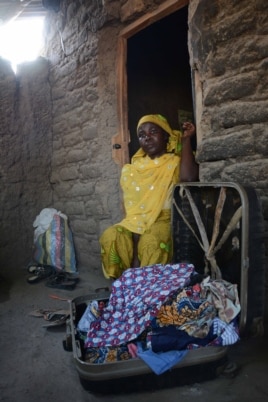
153, 140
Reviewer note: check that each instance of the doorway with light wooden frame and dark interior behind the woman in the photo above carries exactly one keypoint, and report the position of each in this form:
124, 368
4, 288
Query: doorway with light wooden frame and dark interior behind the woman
153, 73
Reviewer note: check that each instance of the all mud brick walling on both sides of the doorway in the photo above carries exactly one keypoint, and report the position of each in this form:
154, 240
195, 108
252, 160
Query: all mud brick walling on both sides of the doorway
60, 113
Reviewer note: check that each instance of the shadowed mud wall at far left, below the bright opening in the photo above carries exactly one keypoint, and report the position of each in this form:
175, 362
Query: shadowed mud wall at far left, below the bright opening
25, 159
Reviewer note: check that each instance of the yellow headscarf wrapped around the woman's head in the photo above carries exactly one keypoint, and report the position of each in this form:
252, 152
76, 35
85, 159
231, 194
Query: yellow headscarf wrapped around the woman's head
174, 142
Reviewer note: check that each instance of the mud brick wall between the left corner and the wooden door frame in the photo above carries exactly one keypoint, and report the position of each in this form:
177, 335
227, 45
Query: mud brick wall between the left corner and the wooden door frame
84, 178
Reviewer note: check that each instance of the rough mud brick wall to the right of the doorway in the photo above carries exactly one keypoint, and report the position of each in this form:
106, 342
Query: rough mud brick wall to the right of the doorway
228, 45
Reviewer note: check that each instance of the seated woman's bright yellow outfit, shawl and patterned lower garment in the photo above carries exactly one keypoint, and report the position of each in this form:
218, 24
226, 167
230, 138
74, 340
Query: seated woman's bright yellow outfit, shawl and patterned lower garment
147, 186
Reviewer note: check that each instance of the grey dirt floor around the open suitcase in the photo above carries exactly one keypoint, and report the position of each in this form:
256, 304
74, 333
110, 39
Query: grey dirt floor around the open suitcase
35, 367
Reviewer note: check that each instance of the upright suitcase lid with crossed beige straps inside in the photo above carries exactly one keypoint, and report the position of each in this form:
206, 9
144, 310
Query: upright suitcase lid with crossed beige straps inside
210, 229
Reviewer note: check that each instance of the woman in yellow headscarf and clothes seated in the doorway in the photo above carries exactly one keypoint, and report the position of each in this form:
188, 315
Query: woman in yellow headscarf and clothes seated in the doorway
143, 237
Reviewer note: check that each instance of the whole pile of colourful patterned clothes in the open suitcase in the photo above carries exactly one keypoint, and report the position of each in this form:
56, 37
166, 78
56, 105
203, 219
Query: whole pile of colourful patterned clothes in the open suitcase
158, 313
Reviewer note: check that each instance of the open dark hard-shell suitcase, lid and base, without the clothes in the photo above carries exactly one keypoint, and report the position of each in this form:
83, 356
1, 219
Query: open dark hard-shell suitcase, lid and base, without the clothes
221, 220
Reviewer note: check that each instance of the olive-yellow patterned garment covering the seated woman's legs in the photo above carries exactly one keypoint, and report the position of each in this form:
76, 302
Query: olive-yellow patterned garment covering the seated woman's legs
154, 245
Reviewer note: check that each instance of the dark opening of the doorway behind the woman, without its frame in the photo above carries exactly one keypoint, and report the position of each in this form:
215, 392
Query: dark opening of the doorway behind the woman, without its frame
158, 72
